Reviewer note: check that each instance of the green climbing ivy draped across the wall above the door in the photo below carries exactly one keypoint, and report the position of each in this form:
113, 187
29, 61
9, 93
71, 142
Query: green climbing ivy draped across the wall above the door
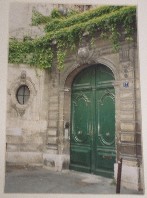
65, 33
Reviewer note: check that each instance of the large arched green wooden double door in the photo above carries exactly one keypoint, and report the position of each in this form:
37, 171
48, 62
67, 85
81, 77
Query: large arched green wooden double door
92, 141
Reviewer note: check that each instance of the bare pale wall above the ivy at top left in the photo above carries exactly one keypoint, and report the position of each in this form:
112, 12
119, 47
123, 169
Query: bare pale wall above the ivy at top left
20, 19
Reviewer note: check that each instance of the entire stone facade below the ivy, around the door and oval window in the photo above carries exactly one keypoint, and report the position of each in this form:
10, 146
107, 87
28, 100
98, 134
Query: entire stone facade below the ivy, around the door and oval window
38, 132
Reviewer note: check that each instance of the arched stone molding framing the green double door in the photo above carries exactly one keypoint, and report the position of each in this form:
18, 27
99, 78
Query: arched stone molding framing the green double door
65, 96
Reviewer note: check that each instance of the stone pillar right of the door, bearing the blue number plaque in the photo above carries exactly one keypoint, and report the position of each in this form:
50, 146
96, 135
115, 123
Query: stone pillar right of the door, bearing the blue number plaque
127, 133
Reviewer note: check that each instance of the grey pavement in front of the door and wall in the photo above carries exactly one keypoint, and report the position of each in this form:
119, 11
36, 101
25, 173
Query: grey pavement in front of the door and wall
41, 180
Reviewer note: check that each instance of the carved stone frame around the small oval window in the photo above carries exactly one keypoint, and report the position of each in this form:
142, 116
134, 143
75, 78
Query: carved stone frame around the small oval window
12, 91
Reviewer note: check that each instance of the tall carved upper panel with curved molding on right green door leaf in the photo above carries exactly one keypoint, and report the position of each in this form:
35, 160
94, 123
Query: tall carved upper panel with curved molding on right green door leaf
105, 115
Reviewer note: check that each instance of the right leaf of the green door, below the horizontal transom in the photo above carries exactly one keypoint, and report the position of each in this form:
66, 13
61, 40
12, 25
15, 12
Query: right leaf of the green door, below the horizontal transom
105, 139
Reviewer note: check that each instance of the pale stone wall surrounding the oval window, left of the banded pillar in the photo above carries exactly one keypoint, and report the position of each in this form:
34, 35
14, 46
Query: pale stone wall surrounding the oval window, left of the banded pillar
27, 125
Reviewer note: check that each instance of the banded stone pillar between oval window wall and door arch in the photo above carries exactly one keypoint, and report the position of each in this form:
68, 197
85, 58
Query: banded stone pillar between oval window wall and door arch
51, 147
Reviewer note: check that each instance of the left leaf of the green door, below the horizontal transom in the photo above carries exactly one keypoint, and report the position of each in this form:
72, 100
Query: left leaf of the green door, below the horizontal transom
81, 128
